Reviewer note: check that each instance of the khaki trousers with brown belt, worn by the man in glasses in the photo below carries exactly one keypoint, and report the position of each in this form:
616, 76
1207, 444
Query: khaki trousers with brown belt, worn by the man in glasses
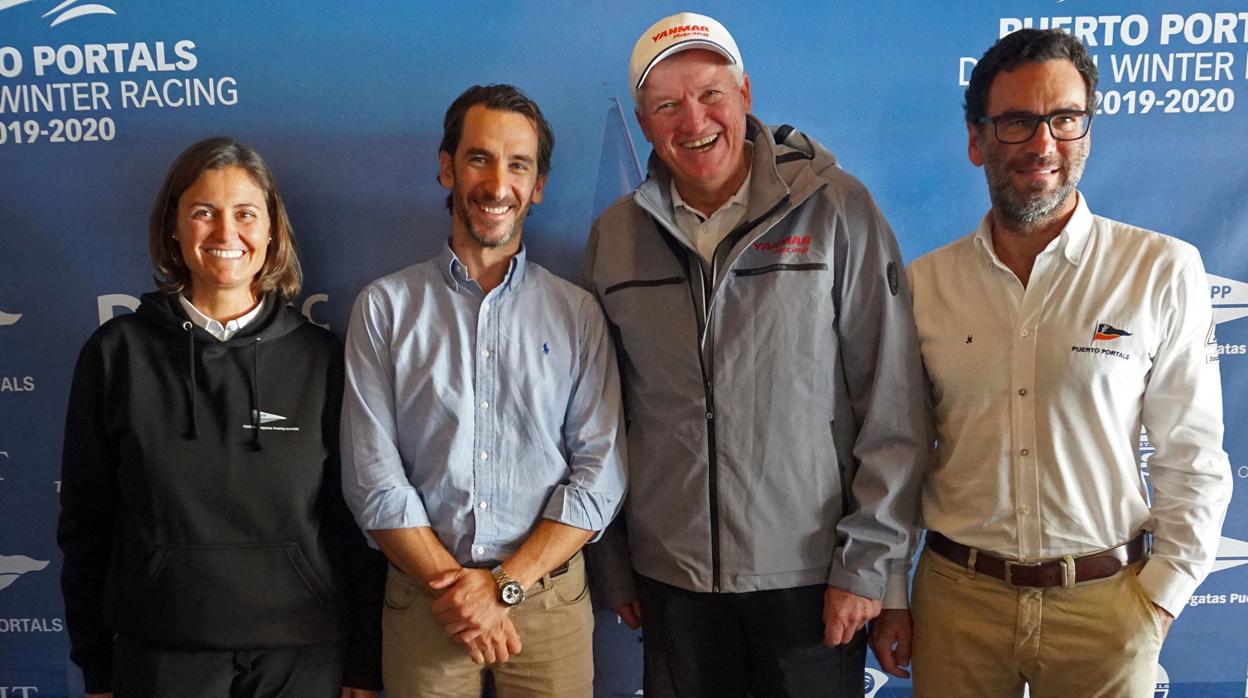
978, 636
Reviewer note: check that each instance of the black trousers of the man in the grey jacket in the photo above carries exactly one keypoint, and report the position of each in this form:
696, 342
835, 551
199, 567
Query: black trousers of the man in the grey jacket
762, 645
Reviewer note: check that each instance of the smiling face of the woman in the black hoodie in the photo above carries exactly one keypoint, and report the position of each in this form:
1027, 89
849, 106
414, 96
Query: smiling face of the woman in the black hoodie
223, 233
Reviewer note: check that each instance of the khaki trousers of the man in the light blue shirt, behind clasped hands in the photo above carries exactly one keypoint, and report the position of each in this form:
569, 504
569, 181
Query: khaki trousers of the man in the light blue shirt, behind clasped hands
556, 625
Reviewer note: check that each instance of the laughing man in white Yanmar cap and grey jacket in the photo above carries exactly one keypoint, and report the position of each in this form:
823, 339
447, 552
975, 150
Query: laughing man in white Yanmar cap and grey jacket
773, 388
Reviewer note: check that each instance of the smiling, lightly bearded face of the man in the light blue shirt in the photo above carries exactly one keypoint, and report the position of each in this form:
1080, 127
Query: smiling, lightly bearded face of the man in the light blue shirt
494, 178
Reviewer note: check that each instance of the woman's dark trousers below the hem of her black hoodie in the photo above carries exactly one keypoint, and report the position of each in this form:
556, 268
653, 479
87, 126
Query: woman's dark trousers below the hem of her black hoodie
142, 671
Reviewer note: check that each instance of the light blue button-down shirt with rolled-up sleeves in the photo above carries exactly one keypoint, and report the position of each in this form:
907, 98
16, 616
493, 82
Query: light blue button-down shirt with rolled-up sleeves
480, 414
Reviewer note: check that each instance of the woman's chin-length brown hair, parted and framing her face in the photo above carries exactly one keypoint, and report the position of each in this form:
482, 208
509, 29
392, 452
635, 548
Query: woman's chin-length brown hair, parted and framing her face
281, 273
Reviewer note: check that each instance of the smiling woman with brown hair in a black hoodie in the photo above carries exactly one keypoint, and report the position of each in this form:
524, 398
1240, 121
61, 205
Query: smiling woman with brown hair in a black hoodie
208, 548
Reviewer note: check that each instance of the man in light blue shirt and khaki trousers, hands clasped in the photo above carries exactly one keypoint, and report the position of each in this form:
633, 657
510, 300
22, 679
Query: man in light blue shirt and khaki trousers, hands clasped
482, 431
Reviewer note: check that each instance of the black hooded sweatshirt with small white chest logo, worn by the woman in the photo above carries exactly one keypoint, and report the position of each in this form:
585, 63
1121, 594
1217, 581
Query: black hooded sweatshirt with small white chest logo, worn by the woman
202, 506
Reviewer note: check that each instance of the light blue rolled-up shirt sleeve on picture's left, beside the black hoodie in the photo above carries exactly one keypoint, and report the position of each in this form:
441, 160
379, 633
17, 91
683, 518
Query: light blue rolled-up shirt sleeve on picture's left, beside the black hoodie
375, 480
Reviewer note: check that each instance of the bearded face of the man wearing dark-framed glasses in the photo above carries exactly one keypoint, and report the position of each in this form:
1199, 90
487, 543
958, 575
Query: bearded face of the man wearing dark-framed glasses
1033, 184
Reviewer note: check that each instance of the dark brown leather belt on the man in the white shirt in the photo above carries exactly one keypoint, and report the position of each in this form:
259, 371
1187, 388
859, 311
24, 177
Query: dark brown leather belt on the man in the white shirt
1056, 573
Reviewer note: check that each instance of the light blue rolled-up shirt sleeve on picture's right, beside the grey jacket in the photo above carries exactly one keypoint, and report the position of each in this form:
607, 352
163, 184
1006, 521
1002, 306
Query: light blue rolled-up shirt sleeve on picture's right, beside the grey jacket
593, 433
